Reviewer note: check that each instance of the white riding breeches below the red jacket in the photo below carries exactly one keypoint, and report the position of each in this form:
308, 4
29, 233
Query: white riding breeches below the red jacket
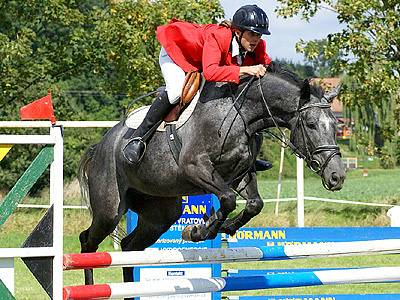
174, 76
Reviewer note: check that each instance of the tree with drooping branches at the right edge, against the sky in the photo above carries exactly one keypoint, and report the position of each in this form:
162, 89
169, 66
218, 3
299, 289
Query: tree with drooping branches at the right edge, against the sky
367, 51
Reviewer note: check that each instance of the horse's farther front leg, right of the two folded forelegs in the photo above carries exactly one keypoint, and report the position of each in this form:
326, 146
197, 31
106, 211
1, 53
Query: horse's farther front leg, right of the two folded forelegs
247, 188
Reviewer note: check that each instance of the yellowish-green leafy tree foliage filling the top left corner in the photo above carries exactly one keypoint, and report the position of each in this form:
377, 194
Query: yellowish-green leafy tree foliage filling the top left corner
41, 42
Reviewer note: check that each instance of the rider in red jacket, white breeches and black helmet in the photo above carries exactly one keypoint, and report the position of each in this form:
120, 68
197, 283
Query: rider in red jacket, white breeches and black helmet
222, 52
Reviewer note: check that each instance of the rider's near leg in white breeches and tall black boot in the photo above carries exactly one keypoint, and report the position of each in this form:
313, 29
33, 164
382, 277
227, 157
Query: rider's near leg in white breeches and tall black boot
174, 78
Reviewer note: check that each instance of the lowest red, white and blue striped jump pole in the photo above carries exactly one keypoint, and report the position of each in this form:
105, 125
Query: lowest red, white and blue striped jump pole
225, 284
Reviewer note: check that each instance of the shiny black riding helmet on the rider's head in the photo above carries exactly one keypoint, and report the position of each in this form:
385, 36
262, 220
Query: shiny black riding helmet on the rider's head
251, 17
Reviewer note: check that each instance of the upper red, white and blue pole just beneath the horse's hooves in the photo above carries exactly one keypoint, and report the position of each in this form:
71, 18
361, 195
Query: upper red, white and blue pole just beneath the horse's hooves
215, 255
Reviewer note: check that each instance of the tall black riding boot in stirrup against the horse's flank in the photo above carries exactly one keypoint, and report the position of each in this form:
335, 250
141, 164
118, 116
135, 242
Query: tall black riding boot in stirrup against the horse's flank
134, 150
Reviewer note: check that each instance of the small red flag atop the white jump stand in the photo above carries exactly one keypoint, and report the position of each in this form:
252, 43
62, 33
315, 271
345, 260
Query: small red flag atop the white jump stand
41, 109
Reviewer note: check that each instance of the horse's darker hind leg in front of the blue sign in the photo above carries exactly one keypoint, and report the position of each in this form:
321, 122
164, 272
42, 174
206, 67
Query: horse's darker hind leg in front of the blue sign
155, 216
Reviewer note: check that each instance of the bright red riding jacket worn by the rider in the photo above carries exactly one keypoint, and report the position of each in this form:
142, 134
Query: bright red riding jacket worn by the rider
206, 48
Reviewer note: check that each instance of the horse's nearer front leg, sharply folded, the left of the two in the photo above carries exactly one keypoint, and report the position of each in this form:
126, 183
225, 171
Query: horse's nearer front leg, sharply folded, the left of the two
200, 171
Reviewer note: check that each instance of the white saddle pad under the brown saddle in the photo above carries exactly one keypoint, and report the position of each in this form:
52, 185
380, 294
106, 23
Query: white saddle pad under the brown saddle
136, 117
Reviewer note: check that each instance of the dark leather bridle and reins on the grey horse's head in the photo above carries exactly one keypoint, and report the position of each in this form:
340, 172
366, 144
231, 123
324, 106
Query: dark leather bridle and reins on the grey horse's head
314, 164
